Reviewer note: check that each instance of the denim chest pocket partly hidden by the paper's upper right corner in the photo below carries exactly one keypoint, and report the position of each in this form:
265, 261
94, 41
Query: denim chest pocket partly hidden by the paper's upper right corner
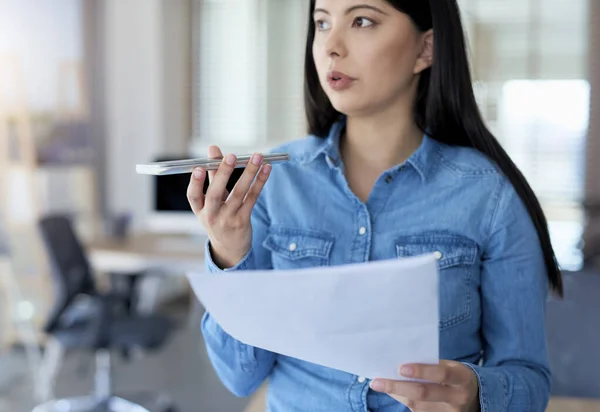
457, 257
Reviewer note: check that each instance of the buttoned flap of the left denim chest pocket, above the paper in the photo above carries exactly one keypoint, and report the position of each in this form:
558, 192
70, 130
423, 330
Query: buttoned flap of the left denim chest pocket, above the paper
298, 243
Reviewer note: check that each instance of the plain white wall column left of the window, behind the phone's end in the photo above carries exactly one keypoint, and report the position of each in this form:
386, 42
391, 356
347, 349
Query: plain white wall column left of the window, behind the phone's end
147, 101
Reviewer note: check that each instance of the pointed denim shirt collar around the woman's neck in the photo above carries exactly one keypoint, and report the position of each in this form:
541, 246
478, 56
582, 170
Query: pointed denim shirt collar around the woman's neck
423, 160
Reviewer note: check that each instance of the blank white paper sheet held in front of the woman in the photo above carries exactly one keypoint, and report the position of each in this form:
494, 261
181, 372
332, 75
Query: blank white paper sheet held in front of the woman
366, 319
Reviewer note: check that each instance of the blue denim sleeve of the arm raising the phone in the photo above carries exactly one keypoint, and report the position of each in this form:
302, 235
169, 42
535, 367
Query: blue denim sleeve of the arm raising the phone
242, 368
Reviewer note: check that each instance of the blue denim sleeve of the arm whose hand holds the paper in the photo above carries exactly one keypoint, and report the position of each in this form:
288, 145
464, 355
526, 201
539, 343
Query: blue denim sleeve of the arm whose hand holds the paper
515, 374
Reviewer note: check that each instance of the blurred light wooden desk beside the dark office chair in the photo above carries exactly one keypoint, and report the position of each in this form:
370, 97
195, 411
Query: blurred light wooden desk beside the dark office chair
172, 254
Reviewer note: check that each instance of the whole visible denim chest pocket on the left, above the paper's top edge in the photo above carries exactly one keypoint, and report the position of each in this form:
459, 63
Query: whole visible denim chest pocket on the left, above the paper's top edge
294, 248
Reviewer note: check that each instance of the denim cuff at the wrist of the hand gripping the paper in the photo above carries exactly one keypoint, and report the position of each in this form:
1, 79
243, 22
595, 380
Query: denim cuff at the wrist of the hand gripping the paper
493, 388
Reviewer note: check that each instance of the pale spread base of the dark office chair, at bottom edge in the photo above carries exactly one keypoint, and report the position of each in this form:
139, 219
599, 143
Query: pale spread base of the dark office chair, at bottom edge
90, 404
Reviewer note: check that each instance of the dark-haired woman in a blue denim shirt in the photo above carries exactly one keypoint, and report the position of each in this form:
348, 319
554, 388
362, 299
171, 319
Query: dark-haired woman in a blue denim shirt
398, 163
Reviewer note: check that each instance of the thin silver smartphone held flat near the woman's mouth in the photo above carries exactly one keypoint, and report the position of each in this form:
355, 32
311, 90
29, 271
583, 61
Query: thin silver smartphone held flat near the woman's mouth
188, 165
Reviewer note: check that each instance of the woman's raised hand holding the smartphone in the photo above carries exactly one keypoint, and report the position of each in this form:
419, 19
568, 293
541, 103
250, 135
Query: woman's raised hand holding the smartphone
226, 216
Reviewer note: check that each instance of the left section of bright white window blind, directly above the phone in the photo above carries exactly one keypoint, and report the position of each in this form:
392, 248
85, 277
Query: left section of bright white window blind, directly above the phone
229, 87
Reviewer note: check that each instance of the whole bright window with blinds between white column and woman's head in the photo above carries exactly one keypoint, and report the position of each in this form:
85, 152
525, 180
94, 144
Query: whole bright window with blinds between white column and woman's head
249, 69
